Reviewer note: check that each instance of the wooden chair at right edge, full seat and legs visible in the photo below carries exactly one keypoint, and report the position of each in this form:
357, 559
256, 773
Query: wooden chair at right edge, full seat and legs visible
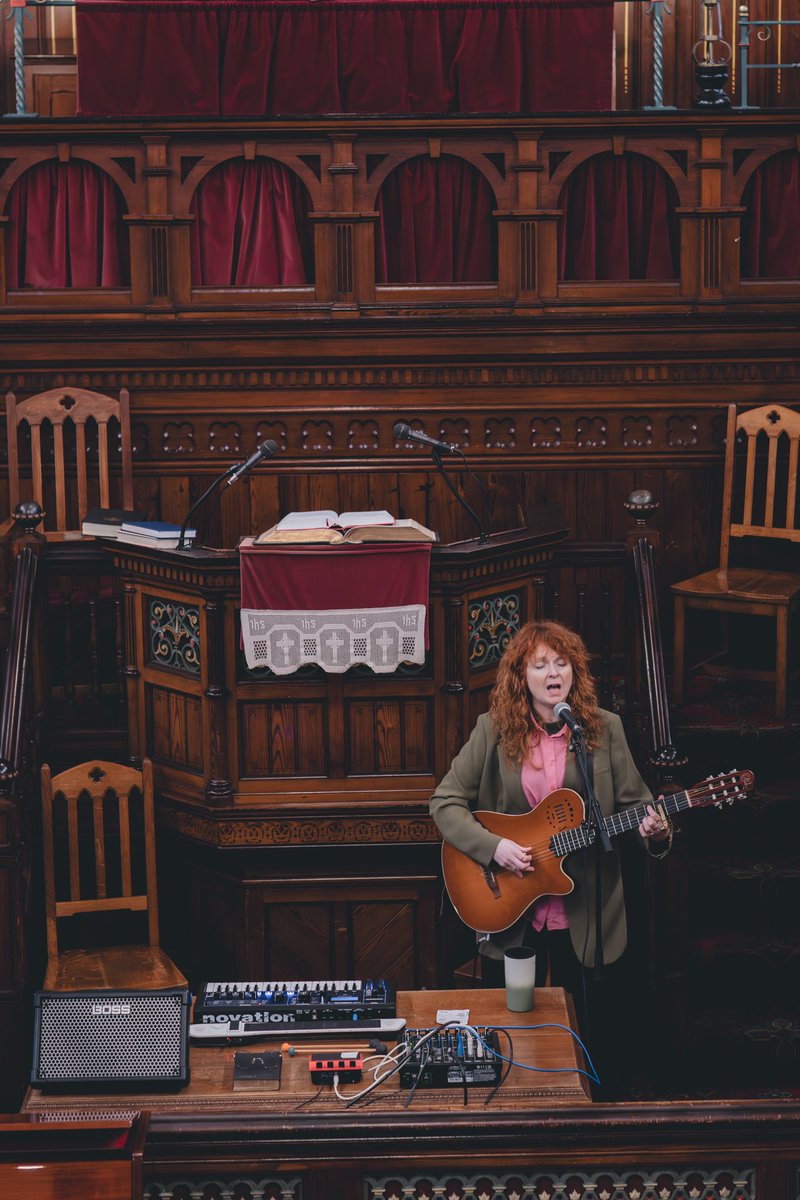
760, 500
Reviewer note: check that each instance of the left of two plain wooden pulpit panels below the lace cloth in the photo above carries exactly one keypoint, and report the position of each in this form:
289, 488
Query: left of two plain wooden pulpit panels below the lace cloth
282, 737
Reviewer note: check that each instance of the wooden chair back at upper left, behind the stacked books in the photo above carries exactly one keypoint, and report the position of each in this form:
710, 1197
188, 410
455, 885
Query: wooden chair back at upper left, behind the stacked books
63, 407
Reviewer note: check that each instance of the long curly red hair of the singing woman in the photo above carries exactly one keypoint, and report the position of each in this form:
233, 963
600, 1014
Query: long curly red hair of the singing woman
512, 705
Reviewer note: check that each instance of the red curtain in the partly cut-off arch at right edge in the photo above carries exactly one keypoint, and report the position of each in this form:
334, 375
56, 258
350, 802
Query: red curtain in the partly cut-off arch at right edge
771, 229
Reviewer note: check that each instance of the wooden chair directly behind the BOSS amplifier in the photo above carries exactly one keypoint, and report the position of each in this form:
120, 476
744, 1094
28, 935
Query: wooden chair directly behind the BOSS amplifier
88, 819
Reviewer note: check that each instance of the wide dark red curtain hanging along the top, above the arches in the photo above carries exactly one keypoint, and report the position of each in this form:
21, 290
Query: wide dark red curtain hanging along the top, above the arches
266, 58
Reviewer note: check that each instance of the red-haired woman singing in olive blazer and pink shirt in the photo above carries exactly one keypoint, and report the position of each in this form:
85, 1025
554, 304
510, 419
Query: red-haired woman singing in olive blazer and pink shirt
516, 755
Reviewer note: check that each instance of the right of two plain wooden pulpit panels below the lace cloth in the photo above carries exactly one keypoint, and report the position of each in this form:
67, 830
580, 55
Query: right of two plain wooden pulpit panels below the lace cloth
389, 736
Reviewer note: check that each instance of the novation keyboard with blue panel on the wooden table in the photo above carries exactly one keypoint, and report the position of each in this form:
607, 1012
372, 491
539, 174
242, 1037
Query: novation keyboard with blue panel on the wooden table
292, 1003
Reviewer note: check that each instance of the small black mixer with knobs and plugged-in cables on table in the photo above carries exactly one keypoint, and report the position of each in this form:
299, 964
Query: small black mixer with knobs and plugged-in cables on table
452, 1058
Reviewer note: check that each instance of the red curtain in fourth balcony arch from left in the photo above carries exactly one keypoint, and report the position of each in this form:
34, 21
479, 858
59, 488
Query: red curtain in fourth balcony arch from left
619, 221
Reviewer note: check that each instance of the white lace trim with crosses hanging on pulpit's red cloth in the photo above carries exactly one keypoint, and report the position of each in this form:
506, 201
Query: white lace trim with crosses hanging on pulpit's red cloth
334, 639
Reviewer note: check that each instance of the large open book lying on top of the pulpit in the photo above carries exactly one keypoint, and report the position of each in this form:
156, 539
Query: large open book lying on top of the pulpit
354, 529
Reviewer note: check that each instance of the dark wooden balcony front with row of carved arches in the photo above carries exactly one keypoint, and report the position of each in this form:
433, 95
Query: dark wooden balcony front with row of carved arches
158, 169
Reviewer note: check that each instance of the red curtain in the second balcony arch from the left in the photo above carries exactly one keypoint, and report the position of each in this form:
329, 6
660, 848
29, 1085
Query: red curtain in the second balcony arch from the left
251, 226
